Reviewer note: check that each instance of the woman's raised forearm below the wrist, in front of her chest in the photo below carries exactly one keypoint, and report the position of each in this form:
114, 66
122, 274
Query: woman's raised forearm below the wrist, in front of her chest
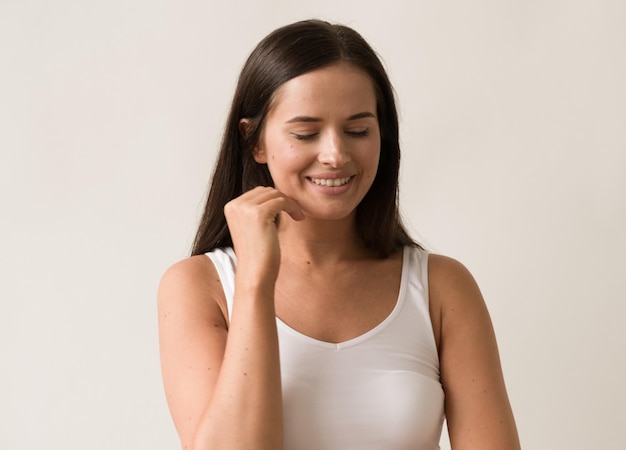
245, 411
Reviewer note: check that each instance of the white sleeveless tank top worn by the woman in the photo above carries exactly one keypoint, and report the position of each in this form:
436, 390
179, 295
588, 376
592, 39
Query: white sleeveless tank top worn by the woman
378, 391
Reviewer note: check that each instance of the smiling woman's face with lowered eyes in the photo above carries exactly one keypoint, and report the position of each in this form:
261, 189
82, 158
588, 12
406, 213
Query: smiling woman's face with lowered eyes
321, 140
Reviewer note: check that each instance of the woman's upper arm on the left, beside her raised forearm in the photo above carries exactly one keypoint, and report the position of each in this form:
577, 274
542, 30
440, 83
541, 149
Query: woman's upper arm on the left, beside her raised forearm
192, 338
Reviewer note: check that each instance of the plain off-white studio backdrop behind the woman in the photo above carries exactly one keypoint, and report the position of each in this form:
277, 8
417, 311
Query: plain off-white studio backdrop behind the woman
513, 119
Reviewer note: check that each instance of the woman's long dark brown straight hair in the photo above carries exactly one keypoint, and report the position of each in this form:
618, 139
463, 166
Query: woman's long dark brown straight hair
284, 54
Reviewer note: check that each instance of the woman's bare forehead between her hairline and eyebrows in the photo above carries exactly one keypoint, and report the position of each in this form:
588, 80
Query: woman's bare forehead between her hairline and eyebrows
336, 90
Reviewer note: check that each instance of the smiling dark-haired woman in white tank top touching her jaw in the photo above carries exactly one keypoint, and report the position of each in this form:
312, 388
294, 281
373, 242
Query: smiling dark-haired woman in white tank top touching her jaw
307, 318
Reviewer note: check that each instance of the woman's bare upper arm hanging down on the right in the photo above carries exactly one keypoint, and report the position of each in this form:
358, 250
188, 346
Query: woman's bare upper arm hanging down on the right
477, 407
